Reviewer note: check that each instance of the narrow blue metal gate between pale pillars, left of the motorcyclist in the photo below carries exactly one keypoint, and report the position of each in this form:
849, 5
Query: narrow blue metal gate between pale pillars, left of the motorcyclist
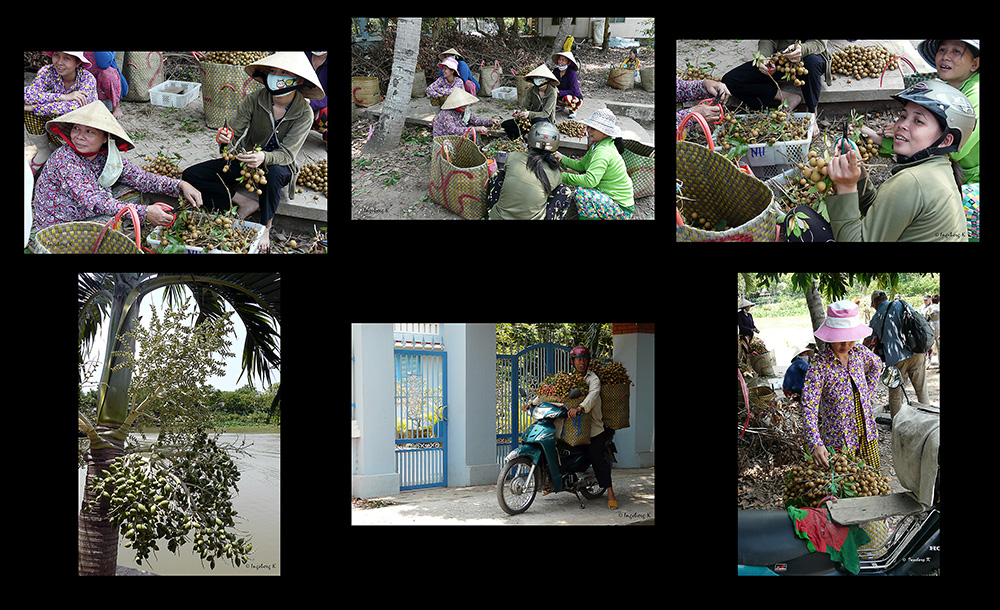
421, 418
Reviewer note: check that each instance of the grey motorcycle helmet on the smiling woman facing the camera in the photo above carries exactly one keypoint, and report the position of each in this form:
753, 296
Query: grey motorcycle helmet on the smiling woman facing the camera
951, 108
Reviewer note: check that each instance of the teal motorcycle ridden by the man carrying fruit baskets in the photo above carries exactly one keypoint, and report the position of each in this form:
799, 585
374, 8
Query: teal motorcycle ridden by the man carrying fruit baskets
543, 462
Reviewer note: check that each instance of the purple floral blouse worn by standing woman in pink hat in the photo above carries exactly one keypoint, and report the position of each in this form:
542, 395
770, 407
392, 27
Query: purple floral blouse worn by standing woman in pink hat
828, 392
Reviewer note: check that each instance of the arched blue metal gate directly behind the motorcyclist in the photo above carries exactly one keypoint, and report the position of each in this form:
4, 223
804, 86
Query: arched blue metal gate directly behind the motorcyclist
526, 369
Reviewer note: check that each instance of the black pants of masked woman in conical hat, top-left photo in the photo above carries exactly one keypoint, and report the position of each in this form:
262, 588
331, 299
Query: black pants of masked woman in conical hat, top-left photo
205, 177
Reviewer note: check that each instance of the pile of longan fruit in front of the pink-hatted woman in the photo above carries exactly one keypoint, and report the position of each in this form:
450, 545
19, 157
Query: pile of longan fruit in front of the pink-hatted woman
806, 484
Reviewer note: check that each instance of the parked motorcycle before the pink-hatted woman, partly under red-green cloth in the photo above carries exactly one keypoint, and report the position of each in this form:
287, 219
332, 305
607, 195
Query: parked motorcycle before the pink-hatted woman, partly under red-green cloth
768, 545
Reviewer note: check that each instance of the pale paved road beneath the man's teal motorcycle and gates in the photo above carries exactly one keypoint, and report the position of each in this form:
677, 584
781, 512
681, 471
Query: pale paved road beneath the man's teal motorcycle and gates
477, 505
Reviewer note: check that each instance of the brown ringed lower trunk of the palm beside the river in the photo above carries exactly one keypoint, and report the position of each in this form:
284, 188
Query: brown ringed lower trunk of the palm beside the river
97, 540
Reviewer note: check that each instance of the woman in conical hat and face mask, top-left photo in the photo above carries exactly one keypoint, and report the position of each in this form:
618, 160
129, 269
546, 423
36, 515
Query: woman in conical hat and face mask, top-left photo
271, 126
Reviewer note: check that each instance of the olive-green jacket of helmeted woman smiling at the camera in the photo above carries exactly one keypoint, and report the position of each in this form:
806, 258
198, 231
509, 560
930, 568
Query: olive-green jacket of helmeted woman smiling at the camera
920, 202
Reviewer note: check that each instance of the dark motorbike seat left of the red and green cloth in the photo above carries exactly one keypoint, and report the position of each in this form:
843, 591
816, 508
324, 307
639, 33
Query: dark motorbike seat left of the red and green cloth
766, 537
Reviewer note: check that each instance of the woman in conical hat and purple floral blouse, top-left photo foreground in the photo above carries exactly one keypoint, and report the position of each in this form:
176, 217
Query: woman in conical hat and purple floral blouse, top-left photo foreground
76, 182
